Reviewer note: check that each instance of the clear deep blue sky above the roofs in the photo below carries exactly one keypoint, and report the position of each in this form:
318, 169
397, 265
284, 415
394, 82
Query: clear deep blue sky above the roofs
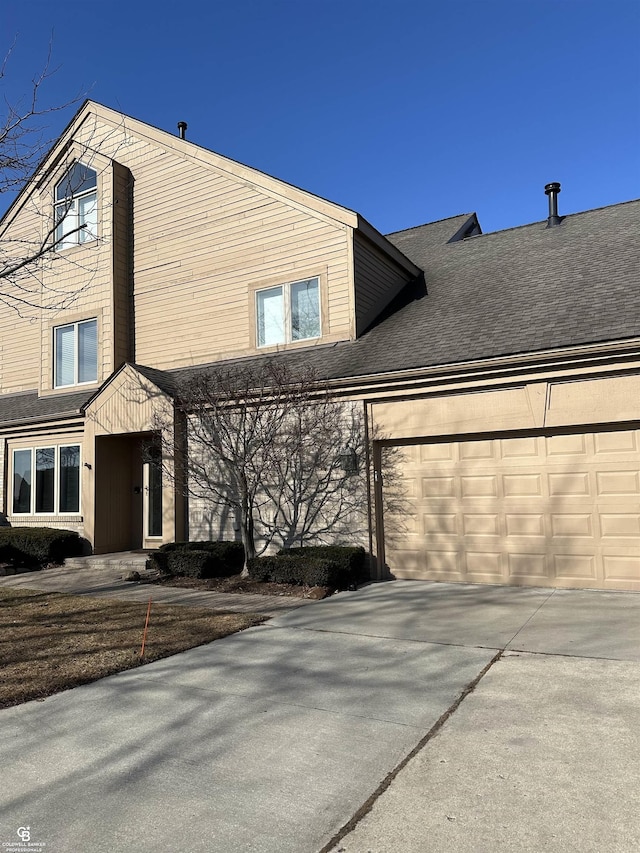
407, 111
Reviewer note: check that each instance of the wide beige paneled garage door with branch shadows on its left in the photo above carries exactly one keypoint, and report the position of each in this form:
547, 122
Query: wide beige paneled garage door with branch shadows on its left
557, 510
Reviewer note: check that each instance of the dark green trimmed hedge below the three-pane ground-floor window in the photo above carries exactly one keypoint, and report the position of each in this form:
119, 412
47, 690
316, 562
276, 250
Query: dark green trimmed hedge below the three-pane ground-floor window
38, 545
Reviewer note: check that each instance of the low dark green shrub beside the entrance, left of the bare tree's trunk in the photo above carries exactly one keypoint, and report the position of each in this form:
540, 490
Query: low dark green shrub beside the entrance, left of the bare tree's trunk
198, 559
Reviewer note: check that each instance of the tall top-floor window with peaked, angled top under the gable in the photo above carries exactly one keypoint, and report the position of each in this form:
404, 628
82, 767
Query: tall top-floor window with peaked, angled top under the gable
76, 207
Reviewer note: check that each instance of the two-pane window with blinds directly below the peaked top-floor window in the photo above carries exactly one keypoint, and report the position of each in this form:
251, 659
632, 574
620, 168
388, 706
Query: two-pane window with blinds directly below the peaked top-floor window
75, 359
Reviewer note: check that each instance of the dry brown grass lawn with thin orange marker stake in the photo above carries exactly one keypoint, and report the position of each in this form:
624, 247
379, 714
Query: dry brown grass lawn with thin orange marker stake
52, 641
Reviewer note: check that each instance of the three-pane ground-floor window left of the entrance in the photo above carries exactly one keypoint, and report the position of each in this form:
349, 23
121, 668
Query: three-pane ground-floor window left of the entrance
46, 480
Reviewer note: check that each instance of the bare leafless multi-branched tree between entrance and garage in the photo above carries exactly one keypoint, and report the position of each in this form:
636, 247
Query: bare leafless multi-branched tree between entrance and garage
273, 449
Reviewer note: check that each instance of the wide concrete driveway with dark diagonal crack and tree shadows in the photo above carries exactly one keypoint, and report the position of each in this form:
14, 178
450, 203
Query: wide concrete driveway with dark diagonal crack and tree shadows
520, 707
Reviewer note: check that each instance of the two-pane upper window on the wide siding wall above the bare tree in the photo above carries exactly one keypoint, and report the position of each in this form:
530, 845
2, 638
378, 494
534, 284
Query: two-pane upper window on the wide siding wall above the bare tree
288, 312
